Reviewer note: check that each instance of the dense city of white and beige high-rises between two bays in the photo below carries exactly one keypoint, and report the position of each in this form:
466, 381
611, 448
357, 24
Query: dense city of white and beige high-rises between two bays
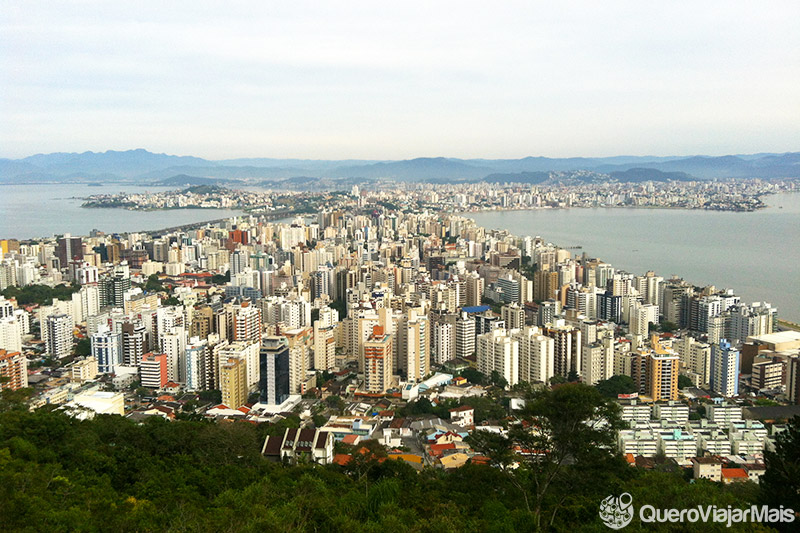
385, 315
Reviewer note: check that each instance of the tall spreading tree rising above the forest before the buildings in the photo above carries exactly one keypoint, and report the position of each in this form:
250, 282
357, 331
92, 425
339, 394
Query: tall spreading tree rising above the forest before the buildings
567, 432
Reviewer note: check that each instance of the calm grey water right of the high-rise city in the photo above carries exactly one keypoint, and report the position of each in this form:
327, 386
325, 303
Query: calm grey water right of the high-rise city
756, 254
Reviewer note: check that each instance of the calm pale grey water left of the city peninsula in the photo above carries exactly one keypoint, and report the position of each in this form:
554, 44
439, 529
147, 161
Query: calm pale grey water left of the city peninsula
45, 210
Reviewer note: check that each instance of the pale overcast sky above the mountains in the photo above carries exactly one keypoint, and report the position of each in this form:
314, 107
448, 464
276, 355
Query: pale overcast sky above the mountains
397, 80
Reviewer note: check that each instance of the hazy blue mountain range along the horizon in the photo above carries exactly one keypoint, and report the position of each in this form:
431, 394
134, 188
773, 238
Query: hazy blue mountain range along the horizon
142, 166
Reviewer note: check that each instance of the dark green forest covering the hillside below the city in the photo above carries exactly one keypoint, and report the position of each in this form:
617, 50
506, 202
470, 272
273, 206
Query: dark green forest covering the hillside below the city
109, 473
